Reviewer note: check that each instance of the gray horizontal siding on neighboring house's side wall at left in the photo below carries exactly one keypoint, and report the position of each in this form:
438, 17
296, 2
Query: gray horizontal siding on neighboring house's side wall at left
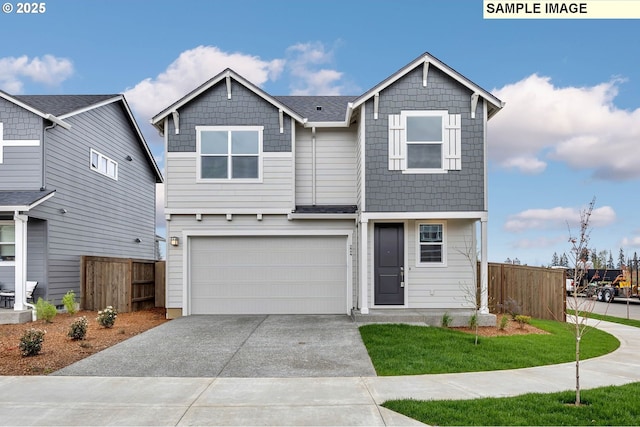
103, 216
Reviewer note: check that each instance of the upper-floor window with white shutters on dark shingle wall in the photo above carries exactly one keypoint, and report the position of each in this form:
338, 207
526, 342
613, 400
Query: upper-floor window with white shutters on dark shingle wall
424, 141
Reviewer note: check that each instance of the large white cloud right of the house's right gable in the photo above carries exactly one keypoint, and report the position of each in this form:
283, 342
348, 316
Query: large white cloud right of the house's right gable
579, 126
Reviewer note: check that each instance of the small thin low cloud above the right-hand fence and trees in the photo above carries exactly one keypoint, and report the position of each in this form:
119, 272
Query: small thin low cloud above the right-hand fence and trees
557, 218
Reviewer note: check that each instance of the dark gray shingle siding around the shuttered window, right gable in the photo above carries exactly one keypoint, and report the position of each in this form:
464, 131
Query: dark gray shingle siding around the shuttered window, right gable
392, 191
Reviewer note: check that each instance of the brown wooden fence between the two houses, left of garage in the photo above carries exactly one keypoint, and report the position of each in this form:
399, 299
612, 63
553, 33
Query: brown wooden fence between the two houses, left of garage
124, 283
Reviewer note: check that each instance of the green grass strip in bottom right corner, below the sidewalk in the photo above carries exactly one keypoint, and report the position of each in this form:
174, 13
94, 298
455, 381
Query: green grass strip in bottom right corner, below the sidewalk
603, 406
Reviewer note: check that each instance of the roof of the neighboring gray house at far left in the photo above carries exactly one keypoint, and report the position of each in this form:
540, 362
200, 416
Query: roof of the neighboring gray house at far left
56, 108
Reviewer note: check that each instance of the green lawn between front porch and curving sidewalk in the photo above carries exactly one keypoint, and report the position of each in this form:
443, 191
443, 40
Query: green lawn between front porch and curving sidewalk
400, 349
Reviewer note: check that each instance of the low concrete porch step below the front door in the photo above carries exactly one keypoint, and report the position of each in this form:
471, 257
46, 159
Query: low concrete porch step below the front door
421, 317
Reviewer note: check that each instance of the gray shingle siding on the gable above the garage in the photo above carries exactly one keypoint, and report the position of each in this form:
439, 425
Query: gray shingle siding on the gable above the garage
245, 108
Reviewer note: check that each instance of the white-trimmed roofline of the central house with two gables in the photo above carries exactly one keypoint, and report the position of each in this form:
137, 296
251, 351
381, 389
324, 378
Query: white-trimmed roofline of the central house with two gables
335, 110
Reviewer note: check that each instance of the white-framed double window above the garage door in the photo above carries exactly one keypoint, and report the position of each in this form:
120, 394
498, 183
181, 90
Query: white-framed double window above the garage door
227, 153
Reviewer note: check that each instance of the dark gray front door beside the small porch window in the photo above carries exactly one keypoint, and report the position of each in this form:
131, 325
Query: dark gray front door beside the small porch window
388, 266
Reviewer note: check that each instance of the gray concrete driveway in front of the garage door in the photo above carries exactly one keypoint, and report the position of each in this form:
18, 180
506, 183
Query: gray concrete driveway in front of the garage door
271, 346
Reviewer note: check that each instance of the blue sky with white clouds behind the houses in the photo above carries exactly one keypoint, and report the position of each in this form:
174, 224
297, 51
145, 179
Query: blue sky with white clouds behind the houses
569, 131
